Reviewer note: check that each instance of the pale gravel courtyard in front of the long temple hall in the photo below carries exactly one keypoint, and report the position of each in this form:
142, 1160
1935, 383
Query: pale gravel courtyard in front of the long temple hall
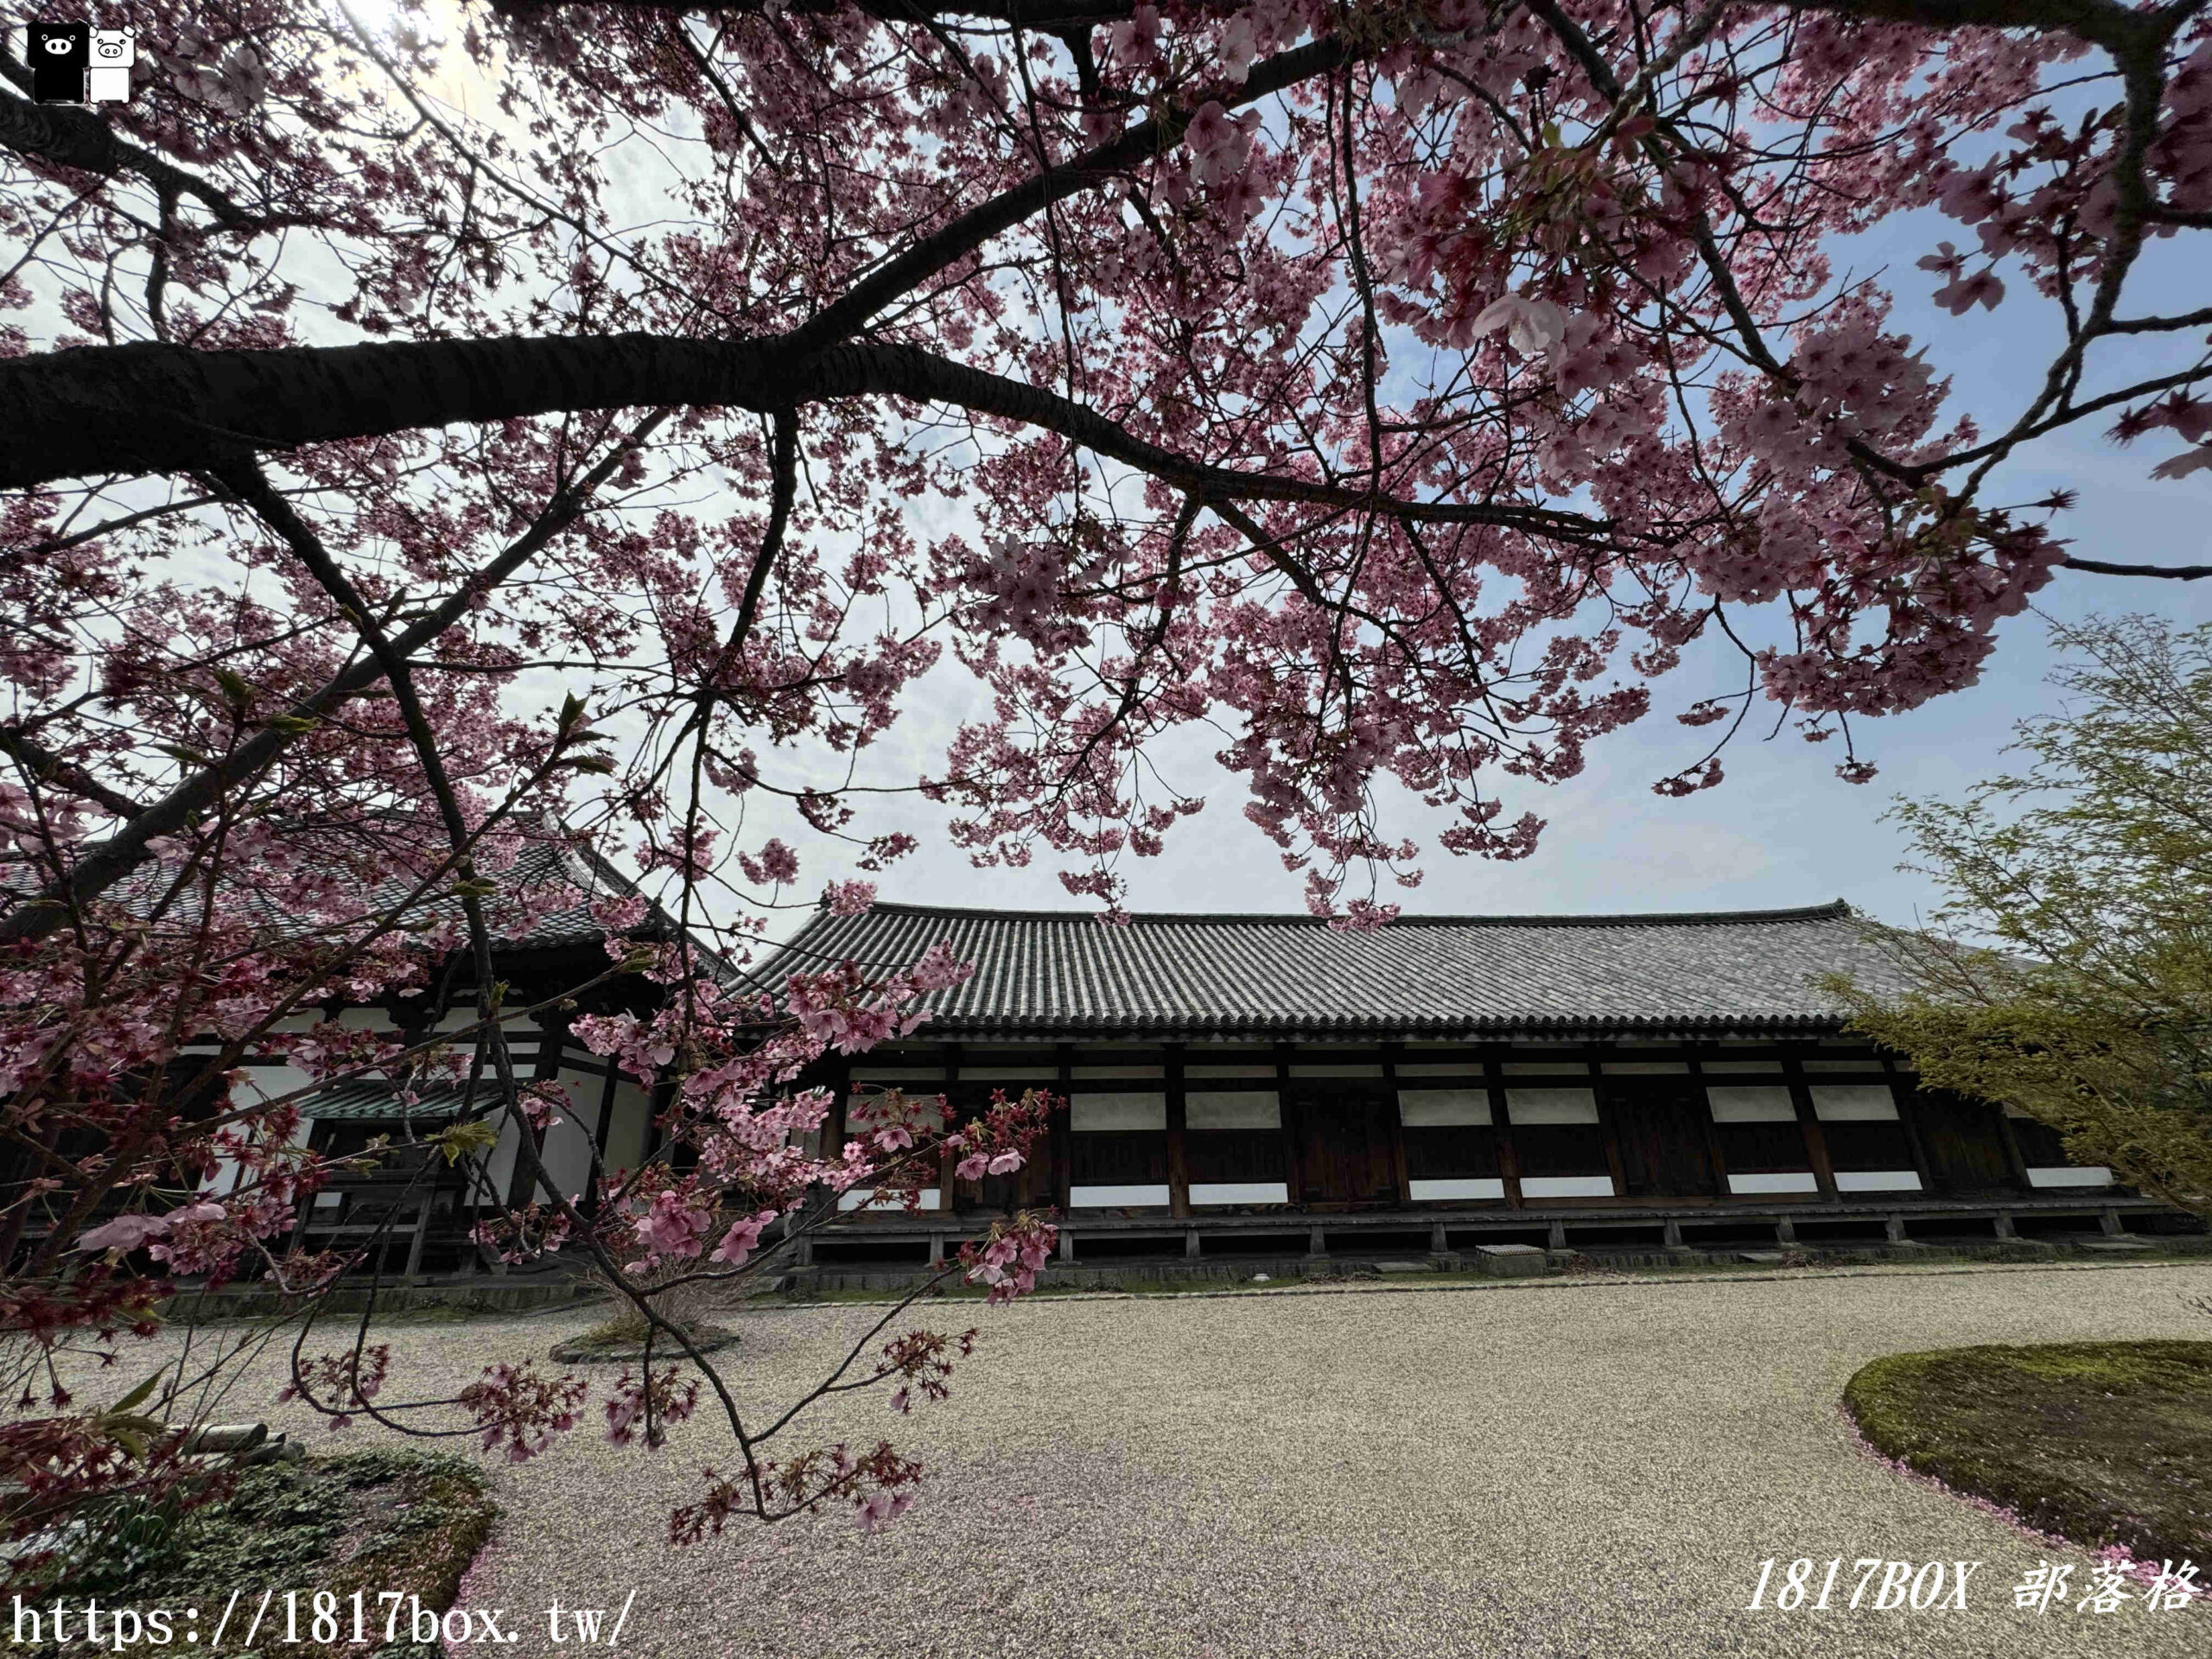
1507, 1470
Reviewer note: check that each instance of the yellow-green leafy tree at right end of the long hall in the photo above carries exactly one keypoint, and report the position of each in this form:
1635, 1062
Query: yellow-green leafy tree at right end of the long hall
2069, 968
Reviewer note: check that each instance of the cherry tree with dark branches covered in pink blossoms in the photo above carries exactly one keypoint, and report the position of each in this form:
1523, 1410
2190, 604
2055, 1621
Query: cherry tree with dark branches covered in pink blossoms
430, 421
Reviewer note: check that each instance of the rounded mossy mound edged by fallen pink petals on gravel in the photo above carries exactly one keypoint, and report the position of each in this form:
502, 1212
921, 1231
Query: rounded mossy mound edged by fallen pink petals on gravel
2100, 1443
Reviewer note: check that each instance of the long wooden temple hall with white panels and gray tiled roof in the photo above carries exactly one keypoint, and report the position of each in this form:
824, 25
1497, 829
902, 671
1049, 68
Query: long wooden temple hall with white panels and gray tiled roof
1249, 1083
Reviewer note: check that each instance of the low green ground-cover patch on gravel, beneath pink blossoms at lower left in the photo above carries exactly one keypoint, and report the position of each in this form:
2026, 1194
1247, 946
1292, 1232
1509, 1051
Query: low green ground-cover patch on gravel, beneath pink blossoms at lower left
366, 1521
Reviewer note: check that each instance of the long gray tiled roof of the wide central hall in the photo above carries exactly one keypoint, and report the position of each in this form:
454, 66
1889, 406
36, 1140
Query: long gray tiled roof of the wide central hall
1065, 972
